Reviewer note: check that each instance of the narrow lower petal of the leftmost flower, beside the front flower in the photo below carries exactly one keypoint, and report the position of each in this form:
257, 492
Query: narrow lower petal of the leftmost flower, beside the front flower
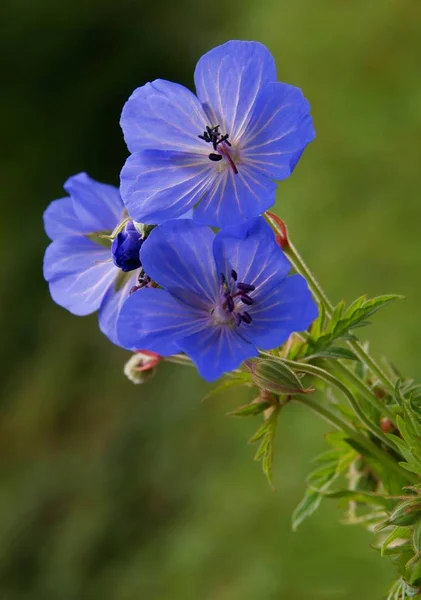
112, 304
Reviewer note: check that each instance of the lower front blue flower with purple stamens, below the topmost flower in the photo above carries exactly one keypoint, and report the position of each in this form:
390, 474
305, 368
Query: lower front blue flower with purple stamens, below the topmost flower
223, 295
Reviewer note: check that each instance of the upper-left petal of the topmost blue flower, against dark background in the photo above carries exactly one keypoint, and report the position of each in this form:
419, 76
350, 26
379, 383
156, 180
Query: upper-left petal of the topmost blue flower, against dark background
163, 116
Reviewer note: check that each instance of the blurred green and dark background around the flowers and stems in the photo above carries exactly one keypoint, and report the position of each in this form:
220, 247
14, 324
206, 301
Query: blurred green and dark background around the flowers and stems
117, 492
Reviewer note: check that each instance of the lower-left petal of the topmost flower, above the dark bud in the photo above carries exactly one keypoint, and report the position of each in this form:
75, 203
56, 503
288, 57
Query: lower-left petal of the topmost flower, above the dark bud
158, 185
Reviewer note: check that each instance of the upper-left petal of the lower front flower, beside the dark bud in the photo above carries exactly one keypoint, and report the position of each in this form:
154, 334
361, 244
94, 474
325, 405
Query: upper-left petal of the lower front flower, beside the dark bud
179, 256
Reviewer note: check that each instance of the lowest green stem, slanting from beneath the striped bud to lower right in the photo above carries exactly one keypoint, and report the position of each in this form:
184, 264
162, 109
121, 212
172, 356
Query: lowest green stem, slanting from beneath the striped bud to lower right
362, 441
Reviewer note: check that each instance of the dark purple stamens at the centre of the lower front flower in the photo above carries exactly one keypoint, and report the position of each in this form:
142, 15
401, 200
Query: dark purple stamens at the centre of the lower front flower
233, 295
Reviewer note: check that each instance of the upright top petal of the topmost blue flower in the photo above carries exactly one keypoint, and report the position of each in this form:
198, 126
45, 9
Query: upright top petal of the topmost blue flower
228, 79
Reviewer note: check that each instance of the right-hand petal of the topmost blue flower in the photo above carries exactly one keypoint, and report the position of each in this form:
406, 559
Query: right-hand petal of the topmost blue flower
280, 128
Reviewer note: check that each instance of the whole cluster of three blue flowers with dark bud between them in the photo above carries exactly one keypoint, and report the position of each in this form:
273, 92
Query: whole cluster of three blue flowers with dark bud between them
145, 256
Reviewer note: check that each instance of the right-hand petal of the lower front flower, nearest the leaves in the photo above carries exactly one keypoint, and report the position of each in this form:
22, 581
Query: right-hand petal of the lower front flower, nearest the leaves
284, 309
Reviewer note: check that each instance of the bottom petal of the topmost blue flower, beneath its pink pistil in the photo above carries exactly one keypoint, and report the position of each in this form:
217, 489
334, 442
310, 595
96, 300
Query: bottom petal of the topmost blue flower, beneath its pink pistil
235, 198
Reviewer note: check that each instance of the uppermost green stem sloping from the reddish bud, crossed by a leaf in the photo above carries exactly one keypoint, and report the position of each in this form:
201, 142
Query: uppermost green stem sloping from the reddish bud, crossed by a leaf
301, 267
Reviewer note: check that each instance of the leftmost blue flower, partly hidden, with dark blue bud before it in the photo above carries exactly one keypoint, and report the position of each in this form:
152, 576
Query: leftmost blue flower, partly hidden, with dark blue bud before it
77, 265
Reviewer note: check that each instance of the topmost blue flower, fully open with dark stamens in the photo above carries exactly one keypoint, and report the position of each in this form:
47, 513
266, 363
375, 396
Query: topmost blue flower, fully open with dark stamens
222, 149
